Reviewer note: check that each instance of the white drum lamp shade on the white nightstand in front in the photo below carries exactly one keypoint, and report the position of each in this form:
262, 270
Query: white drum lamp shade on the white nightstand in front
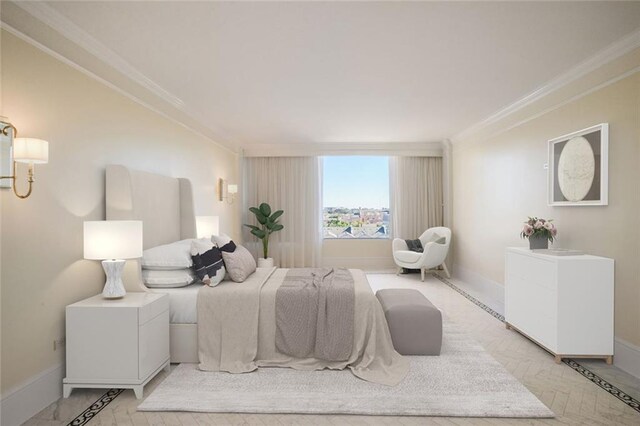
113, 239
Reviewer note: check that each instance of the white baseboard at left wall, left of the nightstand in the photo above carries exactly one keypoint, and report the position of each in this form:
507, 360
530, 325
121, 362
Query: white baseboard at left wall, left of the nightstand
26, 400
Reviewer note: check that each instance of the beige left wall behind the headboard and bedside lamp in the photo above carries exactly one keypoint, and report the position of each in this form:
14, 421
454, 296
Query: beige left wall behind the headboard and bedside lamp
88, 126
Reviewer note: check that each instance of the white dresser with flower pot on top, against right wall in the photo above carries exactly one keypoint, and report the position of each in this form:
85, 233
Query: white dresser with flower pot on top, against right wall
563, 303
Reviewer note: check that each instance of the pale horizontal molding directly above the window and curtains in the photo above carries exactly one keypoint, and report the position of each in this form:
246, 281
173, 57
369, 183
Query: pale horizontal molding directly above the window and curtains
421, 149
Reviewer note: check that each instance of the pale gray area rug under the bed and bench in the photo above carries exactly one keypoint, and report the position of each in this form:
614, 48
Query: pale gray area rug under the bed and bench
464, 381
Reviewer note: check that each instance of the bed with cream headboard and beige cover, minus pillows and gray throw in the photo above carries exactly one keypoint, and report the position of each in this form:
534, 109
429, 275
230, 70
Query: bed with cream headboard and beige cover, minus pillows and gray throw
166, 207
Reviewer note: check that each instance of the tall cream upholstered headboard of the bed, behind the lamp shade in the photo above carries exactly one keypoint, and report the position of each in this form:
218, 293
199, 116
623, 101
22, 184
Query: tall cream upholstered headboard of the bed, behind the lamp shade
163, 204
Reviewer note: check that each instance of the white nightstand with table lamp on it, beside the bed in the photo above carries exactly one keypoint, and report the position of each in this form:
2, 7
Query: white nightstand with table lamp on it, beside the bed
121, 343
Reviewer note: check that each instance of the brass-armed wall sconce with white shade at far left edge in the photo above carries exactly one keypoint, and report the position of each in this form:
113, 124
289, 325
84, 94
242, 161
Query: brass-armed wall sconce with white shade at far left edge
25, 150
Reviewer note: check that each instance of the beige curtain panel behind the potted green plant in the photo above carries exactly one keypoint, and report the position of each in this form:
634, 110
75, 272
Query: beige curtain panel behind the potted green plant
292, 184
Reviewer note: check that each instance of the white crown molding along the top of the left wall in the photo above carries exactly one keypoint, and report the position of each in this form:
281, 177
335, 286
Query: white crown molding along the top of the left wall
57, 22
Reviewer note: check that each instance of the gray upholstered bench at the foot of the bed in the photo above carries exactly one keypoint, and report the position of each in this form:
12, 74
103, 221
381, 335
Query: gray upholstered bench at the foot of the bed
414, 323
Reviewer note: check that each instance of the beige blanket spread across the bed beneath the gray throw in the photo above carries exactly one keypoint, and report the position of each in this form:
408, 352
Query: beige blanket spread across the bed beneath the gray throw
237, 331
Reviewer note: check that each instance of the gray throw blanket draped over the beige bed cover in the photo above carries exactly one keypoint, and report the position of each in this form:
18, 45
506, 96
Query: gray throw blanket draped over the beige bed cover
315, 314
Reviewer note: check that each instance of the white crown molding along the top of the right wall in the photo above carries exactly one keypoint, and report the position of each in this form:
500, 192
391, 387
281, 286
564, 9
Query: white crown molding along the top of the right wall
608, 54
